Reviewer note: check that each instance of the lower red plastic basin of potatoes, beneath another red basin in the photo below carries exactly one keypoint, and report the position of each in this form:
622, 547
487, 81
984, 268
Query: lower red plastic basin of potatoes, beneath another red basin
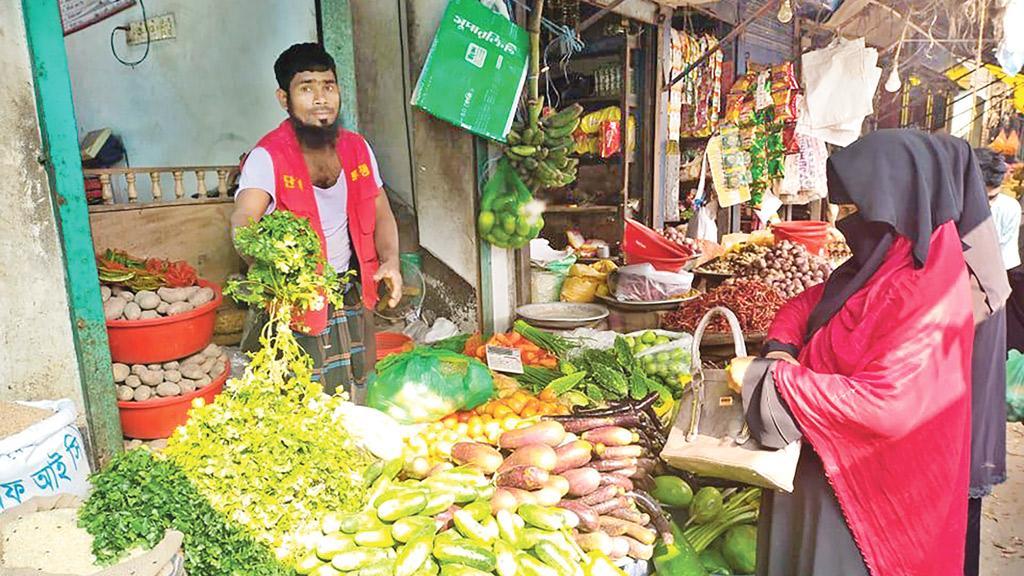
158, 419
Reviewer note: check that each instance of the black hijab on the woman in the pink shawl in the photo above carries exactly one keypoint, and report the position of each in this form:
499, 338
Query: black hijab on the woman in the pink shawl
905, 183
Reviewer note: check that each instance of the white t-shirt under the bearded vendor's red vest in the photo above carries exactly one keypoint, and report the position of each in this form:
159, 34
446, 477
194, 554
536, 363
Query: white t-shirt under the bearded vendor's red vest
332, 202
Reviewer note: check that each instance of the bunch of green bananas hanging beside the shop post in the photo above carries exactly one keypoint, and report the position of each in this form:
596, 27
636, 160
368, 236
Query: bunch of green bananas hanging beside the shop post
541, 151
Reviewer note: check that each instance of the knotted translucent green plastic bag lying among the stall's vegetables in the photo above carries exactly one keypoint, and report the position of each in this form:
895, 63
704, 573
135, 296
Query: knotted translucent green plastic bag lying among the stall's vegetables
426, 385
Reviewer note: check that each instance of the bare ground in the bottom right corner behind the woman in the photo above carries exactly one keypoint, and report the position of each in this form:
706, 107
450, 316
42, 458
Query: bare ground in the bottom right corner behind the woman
1003, 516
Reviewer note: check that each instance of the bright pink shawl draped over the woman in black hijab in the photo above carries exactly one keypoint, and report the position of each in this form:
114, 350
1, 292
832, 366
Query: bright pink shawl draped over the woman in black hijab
883, 395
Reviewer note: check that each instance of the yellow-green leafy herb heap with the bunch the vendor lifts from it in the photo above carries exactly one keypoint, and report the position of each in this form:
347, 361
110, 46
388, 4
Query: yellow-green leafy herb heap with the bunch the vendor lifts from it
272, 454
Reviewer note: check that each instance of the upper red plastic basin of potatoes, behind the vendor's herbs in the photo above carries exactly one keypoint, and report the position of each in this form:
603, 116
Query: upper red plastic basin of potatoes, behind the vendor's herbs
164, 340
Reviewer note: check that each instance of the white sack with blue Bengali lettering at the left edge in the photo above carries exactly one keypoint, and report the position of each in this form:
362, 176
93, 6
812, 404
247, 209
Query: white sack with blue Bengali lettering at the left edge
45, 460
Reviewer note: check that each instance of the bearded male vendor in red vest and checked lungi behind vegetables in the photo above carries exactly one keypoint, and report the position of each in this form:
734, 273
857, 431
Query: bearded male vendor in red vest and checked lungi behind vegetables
310, 167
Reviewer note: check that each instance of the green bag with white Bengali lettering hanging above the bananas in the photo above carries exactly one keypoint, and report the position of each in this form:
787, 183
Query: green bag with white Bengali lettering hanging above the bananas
476, 70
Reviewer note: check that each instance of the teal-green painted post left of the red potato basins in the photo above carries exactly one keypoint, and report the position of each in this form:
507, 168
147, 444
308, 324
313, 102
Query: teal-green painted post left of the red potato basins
64, 167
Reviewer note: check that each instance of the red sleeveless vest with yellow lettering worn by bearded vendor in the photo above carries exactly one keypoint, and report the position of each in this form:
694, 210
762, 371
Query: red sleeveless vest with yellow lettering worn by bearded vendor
294, 193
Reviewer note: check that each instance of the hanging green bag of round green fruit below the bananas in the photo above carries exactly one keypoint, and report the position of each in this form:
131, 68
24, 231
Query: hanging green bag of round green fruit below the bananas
509, 218
